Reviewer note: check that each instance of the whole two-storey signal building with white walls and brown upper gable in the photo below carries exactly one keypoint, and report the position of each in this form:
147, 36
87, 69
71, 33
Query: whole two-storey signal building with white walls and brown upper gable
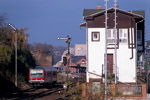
130, 43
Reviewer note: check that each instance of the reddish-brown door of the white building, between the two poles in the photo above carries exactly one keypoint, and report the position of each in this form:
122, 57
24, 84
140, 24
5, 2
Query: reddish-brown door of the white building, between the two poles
110, 63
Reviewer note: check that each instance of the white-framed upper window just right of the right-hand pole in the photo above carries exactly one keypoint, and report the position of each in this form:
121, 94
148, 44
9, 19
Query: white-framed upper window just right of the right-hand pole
123, 33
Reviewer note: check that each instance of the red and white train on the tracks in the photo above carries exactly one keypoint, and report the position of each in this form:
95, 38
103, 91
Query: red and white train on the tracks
42, 75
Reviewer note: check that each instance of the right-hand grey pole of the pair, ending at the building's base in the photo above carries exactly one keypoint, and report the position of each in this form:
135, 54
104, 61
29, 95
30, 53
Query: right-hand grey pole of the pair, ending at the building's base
115, 28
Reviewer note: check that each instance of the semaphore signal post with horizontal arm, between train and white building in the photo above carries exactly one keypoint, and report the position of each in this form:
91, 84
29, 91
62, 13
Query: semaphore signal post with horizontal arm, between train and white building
67, 39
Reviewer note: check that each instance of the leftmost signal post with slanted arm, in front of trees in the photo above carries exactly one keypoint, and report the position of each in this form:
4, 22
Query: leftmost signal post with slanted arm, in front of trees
15, 52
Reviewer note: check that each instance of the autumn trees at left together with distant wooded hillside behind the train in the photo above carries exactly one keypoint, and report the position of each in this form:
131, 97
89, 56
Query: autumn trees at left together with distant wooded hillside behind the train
28, 55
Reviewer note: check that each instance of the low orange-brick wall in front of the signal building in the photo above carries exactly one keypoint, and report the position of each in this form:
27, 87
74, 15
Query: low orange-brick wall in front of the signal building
96, 90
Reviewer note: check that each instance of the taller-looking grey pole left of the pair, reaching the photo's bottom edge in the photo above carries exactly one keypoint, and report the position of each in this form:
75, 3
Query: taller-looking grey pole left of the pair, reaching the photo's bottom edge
106, 50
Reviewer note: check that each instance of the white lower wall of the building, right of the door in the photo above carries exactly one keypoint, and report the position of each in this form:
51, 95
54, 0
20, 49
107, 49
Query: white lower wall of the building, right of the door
126, 66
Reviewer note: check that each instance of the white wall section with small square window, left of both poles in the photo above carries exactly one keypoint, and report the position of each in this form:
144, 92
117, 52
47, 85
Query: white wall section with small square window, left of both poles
96, 50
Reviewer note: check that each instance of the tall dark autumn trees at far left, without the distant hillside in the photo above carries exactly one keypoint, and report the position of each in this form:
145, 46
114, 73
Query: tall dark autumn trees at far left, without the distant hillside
25, 59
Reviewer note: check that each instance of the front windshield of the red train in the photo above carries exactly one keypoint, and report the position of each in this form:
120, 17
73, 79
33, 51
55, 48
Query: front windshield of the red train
36, 74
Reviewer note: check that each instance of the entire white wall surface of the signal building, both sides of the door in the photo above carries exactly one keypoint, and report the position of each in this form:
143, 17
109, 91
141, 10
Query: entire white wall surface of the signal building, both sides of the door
96, 51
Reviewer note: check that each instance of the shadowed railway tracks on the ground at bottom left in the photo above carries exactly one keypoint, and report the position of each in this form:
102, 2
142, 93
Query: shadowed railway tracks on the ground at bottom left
40, 93
